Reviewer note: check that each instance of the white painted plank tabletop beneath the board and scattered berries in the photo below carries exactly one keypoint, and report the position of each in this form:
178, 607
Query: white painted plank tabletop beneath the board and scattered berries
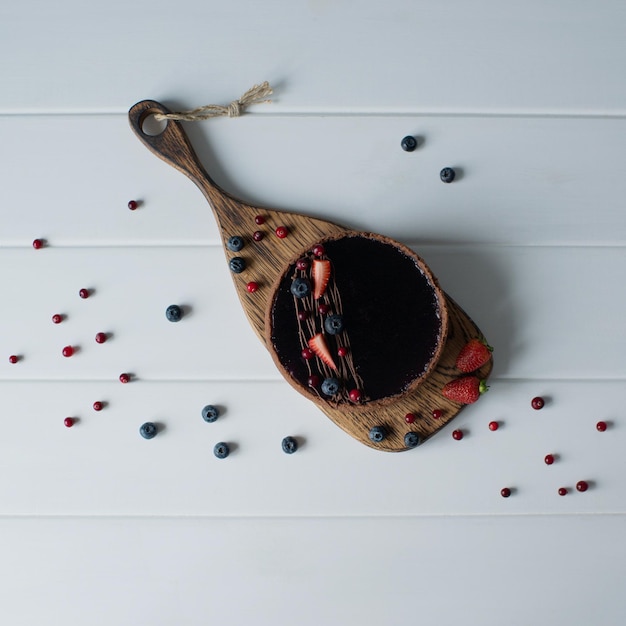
99, 526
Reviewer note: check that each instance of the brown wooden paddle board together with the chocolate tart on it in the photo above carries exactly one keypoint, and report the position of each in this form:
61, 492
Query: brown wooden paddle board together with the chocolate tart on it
394, 336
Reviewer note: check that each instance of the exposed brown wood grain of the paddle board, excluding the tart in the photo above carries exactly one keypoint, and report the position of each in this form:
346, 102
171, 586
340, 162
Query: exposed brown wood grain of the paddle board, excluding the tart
269, 261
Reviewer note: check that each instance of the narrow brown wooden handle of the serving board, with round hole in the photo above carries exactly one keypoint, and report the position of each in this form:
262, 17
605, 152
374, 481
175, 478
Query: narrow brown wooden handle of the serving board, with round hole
171, 144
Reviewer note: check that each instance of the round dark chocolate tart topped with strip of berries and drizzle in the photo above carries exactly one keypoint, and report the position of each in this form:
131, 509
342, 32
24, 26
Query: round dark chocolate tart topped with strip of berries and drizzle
356, 319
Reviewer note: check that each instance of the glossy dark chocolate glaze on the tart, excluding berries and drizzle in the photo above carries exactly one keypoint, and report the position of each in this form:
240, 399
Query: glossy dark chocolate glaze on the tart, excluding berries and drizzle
390, 313
